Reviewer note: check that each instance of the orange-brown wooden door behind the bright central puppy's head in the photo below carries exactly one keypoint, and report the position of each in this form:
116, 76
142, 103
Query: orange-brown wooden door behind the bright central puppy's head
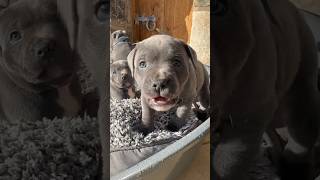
174, 17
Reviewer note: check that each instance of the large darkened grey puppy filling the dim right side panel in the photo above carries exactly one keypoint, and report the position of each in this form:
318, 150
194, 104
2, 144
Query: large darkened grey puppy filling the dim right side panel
269, 64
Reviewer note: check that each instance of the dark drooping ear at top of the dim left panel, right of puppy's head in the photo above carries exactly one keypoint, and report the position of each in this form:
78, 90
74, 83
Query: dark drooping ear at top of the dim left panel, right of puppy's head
67, 9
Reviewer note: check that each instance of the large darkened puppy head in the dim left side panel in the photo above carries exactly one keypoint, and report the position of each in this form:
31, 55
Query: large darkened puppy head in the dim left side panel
34, 50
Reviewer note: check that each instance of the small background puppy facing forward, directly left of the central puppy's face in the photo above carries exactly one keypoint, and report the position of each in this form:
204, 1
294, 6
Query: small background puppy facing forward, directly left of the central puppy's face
121, 81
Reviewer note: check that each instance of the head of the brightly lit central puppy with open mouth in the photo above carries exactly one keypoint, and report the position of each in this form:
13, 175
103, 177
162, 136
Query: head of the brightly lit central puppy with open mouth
161, 66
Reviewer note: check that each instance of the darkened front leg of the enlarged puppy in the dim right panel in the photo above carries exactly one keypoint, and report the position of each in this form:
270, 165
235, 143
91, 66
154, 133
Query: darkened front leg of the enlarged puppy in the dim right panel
239, 144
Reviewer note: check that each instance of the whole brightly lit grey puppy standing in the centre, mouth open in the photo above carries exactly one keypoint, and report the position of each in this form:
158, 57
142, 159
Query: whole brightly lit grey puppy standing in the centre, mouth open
170, 76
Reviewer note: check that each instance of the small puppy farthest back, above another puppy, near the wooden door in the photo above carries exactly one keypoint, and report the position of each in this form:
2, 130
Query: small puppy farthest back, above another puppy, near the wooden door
120, 45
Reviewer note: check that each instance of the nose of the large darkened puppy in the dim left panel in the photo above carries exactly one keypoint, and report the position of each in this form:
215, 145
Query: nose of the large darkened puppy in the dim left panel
42, 47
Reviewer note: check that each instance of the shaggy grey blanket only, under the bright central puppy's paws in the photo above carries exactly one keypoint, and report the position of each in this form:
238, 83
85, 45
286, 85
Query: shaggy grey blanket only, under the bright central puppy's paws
126, 114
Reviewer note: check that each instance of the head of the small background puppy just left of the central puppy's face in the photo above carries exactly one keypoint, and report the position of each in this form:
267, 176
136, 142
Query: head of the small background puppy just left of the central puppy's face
120, 74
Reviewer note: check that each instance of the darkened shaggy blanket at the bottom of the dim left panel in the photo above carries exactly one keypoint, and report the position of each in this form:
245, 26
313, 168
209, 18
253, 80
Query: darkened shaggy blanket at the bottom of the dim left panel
50, 149
